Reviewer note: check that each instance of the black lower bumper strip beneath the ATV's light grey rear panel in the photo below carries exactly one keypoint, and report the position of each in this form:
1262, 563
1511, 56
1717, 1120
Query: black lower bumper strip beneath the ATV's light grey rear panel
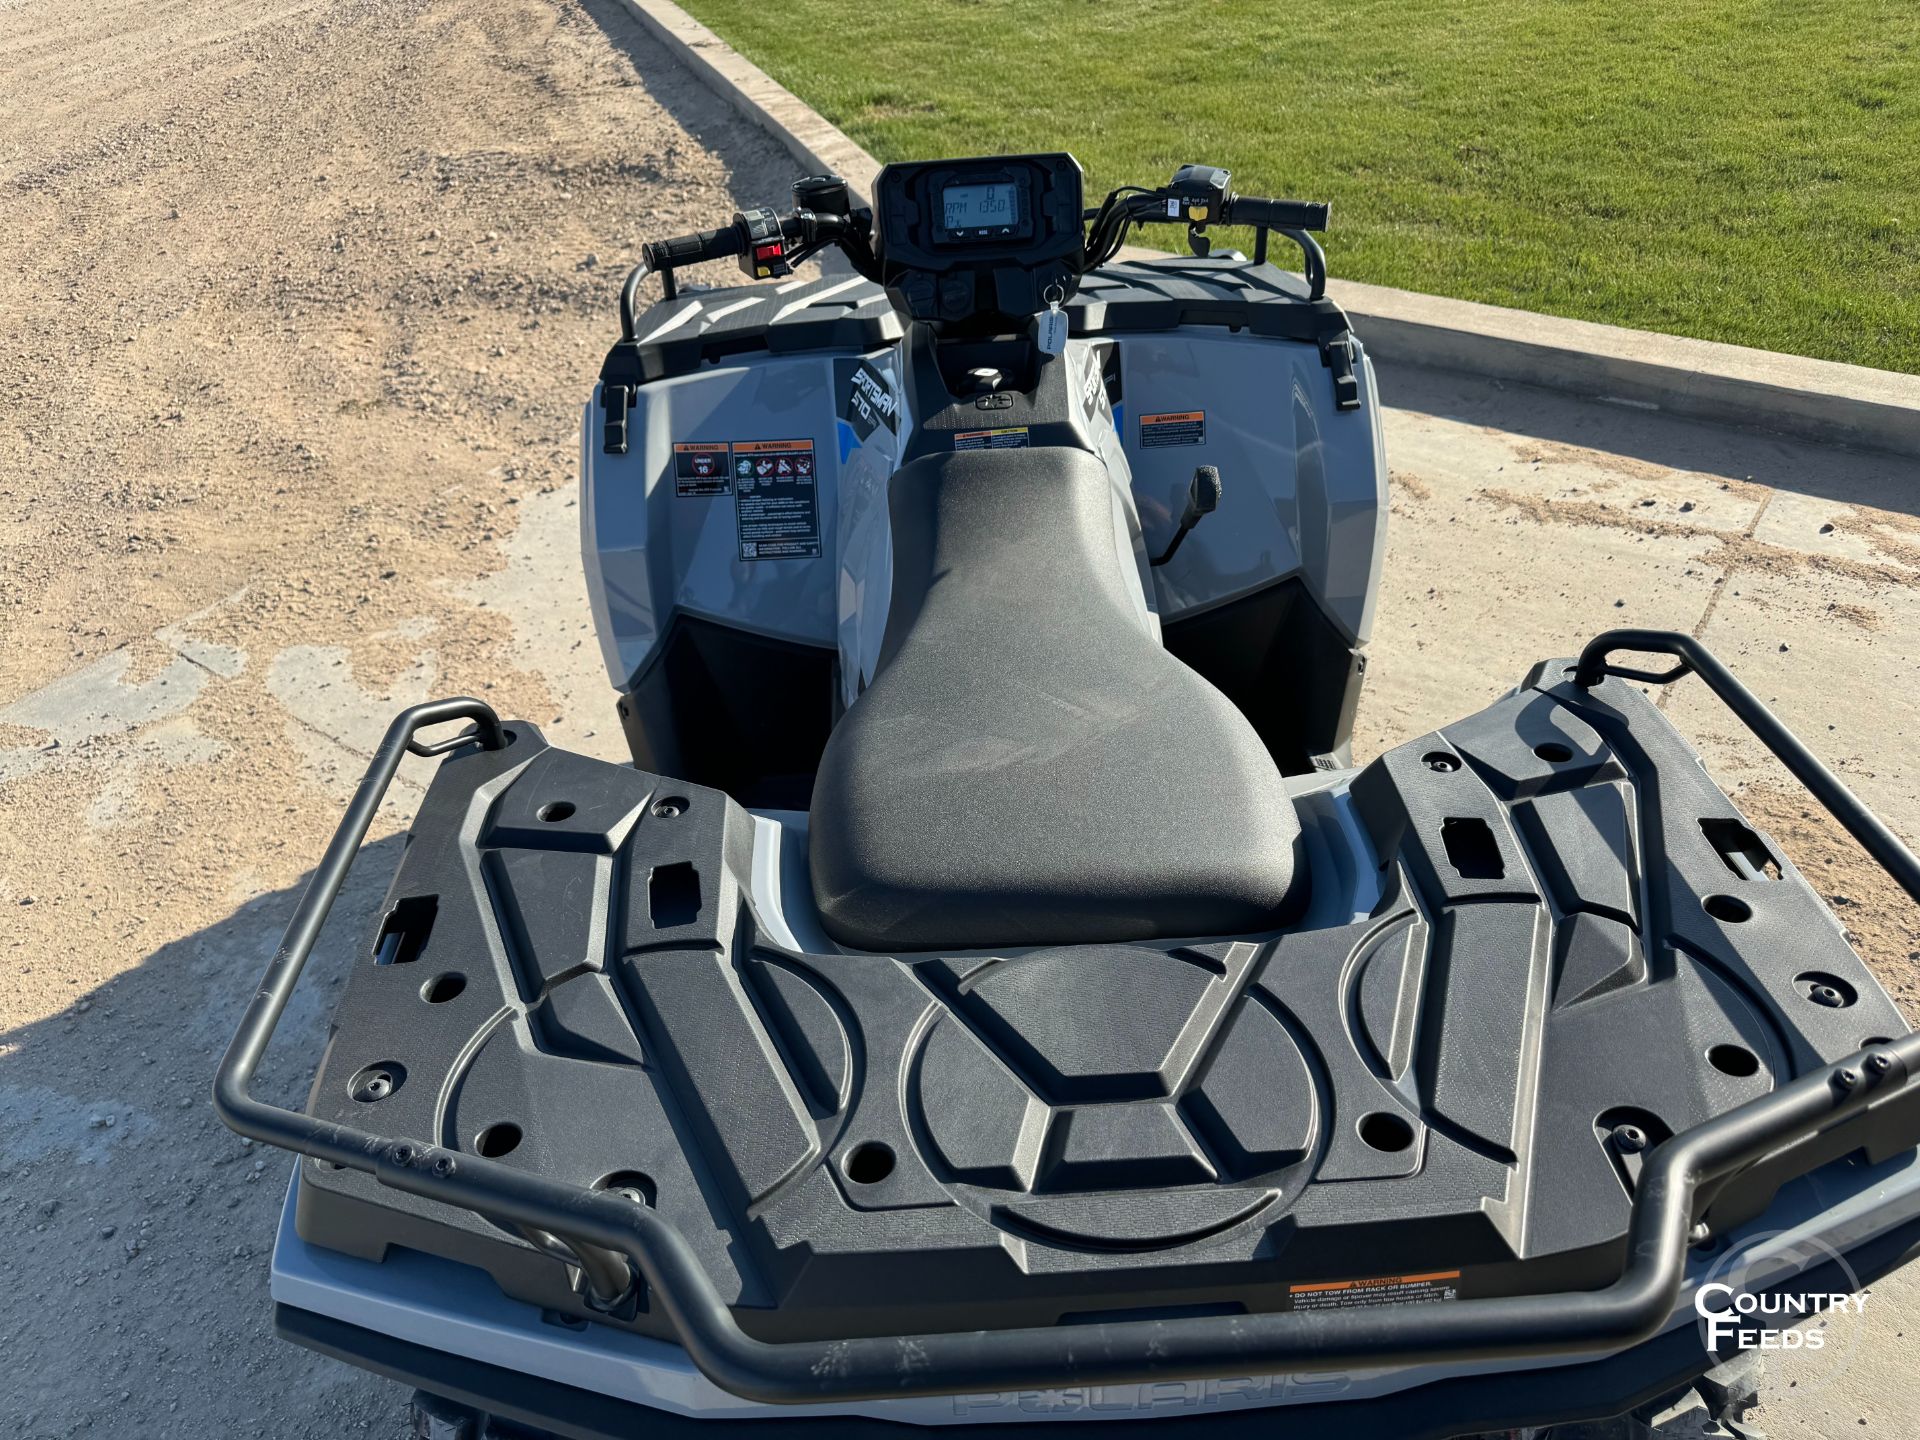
1428, 1412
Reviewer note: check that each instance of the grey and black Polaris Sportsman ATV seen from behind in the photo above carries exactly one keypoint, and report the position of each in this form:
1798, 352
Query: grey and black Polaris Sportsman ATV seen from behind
992, 997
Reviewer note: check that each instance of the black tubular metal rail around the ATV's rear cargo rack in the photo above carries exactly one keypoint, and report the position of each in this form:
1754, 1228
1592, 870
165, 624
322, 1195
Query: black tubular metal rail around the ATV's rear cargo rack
621, 1247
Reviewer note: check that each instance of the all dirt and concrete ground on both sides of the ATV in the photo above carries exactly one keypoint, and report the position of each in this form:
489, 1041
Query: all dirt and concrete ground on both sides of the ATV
299, 310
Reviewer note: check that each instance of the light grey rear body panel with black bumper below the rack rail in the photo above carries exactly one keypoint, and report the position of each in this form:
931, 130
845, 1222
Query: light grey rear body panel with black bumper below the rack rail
448, 1330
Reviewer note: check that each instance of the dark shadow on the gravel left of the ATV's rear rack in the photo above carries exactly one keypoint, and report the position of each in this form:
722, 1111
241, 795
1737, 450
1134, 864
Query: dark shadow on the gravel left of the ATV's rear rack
139, 1228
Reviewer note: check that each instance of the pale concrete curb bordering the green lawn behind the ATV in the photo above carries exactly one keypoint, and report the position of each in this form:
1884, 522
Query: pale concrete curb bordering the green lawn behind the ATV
1696, 379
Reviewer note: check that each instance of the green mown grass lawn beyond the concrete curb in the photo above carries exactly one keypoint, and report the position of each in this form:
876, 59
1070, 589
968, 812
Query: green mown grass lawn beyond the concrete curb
1735, 170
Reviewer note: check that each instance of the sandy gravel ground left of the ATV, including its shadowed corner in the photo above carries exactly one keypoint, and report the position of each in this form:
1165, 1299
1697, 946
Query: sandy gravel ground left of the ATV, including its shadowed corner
300, 304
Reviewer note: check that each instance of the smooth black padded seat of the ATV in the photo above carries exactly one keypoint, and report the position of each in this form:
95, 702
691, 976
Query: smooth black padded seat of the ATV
1030, 765
